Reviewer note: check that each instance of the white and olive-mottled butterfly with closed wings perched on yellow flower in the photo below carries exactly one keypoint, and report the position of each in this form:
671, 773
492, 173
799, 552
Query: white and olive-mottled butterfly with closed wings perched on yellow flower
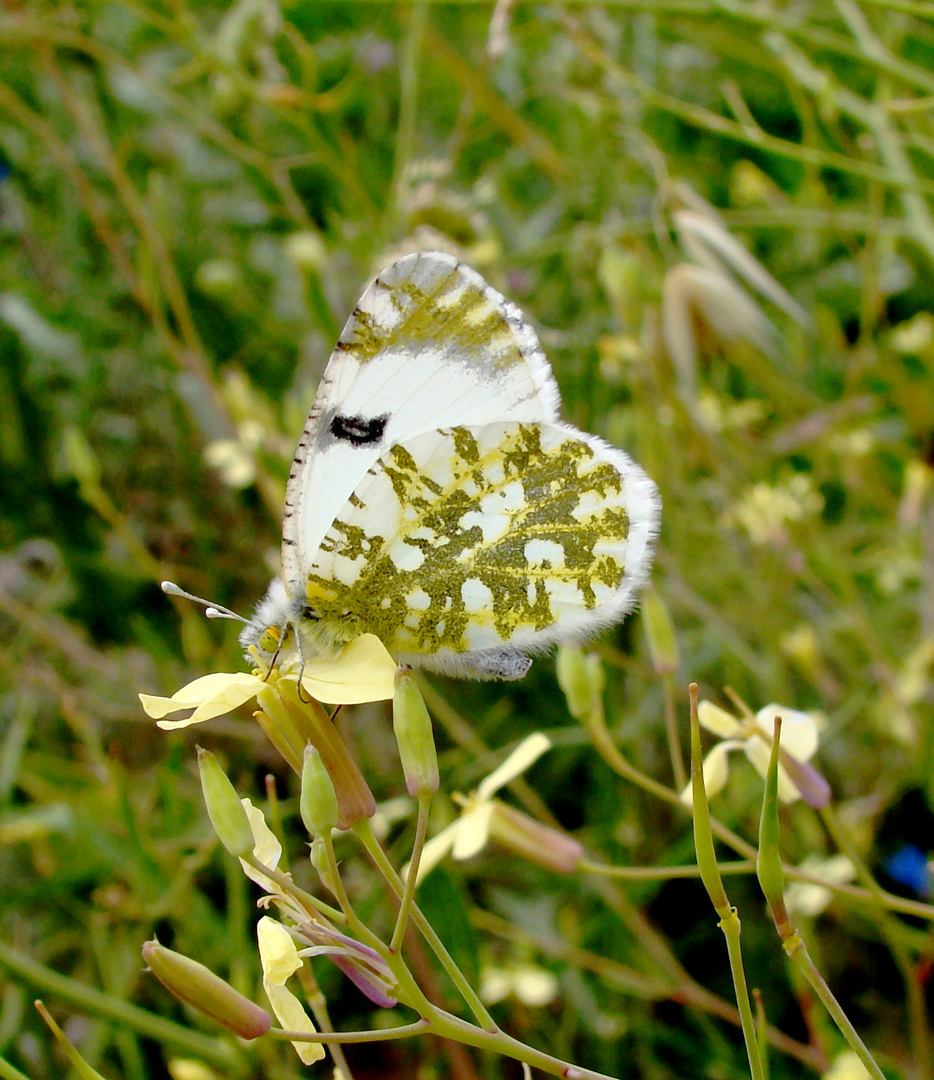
438, 501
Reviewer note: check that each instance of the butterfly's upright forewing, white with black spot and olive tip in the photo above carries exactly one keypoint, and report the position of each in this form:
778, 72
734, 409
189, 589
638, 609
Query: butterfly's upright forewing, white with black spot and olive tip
430, 345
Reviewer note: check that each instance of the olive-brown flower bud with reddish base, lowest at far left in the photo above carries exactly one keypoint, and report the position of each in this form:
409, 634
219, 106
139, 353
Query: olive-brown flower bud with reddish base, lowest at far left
194, 984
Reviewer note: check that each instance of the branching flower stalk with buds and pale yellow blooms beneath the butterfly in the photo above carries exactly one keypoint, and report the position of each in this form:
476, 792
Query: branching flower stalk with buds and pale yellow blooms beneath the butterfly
335, 796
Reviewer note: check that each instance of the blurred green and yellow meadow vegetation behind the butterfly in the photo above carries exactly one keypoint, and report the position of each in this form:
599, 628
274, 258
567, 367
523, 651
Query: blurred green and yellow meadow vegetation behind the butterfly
194, 197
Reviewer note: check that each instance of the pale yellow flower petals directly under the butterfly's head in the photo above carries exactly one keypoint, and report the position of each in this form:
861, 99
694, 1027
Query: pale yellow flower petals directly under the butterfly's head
363, 672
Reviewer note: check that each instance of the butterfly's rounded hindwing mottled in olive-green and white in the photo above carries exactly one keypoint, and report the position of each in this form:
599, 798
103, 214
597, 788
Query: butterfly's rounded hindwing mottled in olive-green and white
469, 538
